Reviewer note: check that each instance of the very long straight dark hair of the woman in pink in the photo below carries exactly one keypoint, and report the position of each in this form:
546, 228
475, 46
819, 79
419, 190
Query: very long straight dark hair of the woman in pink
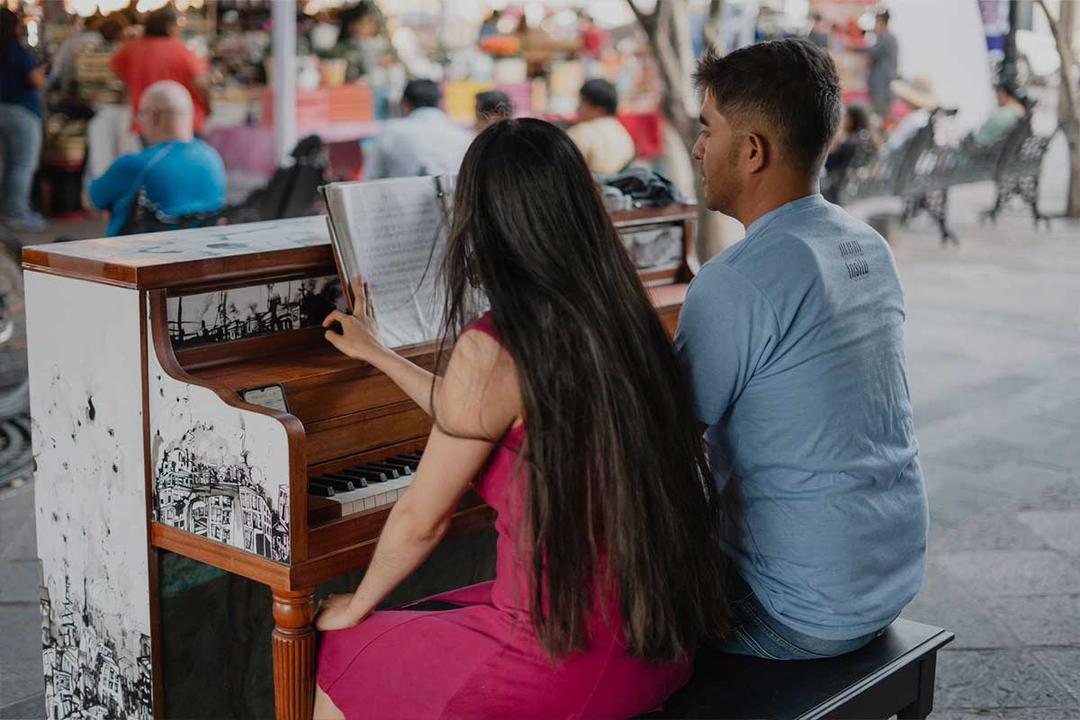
618, 485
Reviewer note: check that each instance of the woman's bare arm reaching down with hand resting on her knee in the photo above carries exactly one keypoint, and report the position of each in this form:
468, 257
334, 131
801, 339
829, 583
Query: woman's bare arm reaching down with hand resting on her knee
479, 398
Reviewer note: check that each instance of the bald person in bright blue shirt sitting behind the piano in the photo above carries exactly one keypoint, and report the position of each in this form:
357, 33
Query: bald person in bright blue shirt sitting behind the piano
181, 174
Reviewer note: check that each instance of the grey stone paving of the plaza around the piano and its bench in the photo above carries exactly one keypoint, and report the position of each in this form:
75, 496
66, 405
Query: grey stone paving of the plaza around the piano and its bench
994, 351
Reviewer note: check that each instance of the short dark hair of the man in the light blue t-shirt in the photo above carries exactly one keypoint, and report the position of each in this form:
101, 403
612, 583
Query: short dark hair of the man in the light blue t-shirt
790, 86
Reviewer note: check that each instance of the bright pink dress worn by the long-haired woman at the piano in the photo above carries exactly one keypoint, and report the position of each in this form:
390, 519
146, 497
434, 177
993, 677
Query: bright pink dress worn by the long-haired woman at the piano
483, 660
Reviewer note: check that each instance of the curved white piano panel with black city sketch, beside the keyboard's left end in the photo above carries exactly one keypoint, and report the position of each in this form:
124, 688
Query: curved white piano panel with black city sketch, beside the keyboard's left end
220, 472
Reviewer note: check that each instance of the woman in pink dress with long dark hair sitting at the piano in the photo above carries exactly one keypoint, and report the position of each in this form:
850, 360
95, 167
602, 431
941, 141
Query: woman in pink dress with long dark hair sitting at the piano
564, 409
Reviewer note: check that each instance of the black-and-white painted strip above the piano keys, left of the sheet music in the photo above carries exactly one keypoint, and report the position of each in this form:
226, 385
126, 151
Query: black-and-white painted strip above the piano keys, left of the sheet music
245, 313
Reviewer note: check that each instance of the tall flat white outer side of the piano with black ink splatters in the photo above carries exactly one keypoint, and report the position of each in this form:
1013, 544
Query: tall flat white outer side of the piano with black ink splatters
90, 495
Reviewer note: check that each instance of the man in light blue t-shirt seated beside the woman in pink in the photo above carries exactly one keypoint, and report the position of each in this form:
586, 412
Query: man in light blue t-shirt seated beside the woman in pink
793, 341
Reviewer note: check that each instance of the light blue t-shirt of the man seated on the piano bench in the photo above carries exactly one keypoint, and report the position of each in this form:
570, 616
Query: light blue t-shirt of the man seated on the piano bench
793, 341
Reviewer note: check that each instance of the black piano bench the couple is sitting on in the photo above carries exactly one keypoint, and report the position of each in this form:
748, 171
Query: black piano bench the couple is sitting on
894, 675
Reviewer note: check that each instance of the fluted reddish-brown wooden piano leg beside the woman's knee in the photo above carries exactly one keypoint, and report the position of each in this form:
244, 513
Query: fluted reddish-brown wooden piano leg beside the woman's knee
294, 654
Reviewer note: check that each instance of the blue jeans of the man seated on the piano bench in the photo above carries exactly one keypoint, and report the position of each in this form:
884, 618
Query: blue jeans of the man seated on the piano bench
758, 634
